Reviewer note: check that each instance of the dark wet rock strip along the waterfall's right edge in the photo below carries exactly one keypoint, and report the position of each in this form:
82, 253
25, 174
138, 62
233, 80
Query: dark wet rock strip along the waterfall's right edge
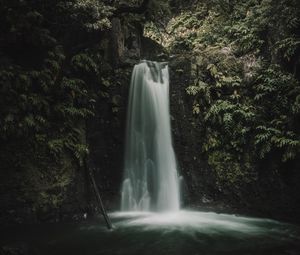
196, 181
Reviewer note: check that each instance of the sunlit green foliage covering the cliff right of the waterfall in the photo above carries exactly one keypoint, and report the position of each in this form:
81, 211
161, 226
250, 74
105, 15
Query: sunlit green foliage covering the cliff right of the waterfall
245, 90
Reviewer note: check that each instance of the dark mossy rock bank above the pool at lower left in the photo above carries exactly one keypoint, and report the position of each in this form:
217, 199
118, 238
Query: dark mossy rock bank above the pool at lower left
45, 192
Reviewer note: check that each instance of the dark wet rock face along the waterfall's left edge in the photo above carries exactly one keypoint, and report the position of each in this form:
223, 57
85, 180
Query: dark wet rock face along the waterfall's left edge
106, 131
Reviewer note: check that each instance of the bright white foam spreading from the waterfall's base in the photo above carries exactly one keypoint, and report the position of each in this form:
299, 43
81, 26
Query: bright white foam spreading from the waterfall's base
191, 222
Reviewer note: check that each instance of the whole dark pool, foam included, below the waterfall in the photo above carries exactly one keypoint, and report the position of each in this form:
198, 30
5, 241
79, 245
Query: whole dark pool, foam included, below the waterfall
186, 233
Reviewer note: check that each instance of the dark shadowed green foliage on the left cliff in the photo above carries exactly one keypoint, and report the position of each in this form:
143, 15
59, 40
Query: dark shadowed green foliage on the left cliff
46, 77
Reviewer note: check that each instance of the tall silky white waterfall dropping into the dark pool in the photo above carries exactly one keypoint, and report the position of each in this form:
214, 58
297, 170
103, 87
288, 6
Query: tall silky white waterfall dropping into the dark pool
151, 180
